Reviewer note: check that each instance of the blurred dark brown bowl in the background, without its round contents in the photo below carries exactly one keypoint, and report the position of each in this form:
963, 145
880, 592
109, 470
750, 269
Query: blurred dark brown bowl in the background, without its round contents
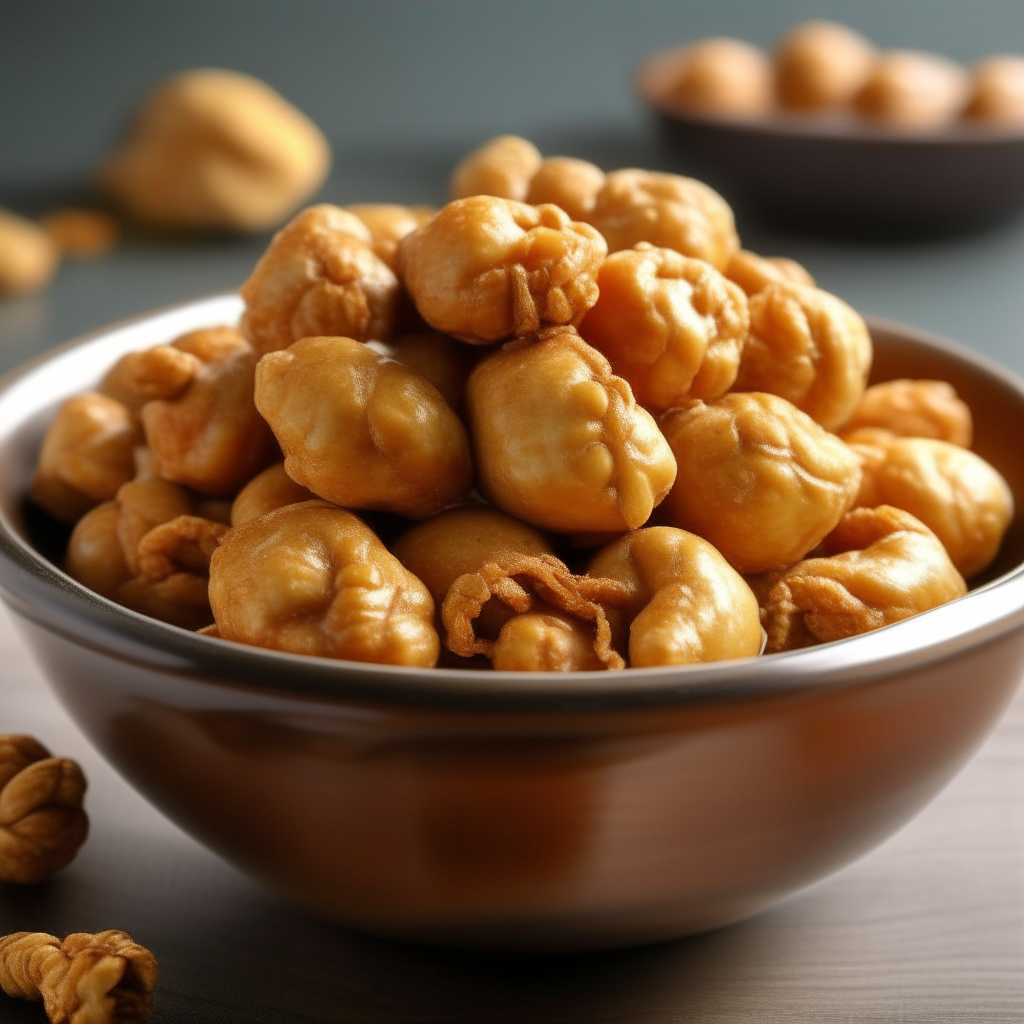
838, 174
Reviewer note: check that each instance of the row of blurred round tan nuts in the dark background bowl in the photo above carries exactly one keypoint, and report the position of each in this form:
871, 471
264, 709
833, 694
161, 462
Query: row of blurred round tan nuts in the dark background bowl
824, 67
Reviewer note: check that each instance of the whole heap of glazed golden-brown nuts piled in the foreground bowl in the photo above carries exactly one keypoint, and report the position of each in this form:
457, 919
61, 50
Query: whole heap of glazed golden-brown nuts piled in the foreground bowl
566, 422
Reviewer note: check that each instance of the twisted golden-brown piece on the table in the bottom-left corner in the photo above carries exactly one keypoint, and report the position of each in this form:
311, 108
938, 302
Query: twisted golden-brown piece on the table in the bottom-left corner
106, 978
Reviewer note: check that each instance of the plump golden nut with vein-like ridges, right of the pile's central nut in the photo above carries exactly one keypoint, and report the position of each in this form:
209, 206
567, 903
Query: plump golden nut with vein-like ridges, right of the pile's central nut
757, 478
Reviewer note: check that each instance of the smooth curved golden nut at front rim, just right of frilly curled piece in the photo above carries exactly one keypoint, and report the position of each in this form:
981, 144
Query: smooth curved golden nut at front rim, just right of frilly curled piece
688, 604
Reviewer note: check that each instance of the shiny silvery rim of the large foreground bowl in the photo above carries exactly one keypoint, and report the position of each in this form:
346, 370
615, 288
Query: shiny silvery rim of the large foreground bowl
40, 591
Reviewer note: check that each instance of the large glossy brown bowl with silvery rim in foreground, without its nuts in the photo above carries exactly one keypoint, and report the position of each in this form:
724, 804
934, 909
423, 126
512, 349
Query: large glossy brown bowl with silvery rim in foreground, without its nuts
532, 812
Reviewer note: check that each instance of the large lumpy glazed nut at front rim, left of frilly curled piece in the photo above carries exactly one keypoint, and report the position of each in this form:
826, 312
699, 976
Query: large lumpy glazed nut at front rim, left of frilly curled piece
313, 579
